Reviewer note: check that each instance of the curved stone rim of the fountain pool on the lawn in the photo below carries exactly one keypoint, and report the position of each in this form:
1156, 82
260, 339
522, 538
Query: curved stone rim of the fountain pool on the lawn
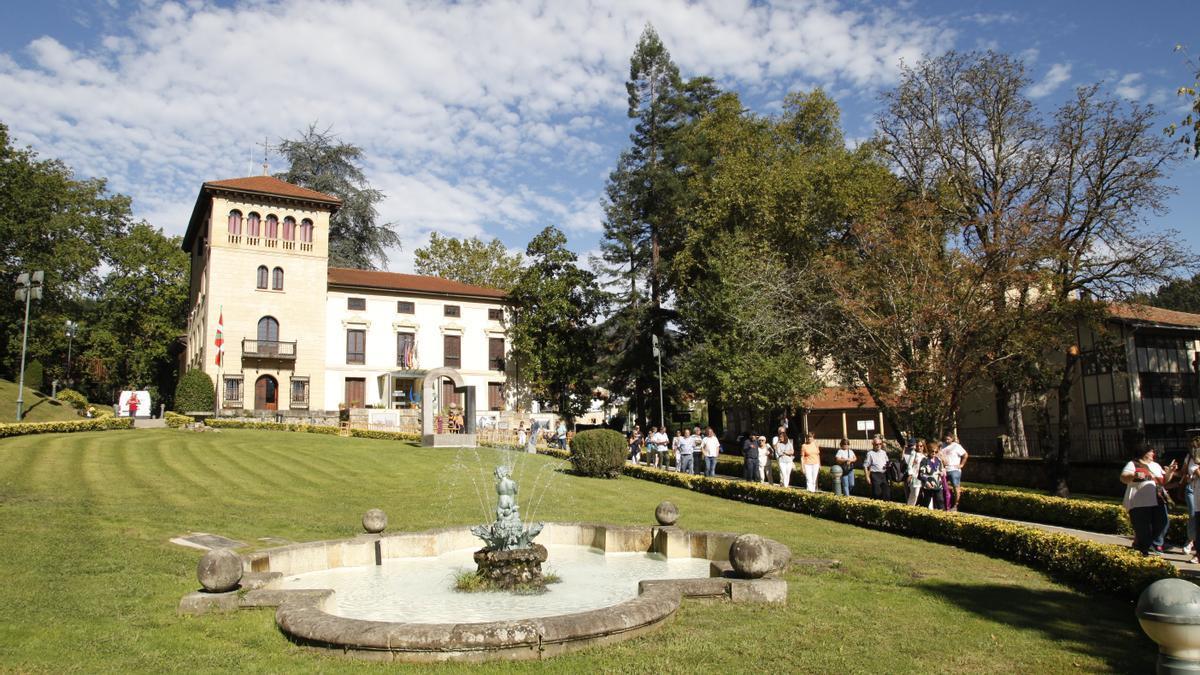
310, 617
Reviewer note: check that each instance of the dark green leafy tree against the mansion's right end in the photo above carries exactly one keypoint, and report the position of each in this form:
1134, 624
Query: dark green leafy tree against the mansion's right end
556, 304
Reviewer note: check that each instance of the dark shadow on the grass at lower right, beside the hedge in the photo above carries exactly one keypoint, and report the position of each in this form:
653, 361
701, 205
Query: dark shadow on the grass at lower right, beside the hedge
1101, 628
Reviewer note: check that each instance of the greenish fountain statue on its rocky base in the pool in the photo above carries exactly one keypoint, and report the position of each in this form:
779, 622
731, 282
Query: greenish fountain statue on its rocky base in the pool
509, 559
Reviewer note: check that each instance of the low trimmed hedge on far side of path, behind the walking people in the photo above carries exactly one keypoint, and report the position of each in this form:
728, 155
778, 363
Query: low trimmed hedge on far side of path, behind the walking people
1078, 515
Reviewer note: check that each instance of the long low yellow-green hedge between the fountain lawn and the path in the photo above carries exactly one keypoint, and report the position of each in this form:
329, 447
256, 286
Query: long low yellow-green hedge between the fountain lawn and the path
1089, 566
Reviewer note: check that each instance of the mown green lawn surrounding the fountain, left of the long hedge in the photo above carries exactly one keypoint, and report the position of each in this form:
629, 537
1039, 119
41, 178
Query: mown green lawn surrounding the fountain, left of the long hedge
91, 582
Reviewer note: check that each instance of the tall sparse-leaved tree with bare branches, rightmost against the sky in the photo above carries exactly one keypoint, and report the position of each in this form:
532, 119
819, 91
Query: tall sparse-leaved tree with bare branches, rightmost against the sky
1061, 200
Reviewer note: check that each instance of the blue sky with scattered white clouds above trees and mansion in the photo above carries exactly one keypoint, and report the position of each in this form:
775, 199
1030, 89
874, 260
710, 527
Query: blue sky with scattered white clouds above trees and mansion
501, 118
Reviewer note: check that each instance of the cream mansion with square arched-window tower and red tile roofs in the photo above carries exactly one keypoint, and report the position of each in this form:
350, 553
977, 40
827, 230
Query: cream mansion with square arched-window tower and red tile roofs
303, 338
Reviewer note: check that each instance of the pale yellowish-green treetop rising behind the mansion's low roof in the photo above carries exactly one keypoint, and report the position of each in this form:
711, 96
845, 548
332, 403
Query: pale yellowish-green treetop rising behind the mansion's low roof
470, 261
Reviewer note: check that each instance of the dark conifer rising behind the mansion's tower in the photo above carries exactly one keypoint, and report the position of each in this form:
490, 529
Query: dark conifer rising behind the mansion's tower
319, 160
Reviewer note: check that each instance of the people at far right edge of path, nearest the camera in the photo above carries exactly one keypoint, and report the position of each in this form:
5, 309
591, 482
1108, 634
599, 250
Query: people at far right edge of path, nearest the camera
1148, 499
